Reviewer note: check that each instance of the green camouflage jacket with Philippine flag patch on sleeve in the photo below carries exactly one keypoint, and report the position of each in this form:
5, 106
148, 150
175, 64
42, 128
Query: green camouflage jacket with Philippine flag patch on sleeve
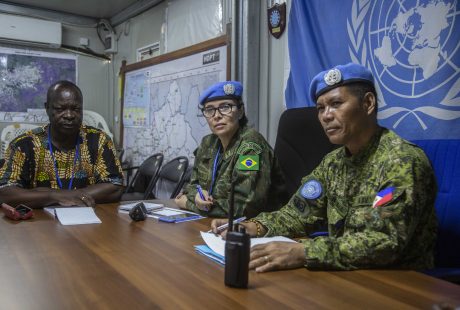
397, 230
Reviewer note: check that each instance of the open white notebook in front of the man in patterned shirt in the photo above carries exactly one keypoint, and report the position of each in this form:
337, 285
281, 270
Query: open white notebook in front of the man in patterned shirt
74, 215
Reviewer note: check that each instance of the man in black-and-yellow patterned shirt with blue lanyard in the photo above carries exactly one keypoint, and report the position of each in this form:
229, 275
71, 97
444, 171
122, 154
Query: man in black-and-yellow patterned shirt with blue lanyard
63, 163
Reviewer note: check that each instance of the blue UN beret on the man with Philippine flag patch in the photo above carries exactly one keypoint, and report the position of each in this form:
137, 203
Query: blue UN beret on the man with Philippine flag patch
339, 76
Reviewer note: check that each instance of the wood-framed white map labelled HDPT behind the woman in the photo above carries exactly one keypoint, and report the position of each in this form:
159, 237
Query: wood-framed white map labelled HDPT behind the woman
160, 100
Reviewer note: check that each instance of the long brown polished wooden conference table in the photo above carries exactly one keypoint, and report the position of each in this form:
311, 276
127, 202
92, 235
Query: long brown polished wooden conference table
121, 264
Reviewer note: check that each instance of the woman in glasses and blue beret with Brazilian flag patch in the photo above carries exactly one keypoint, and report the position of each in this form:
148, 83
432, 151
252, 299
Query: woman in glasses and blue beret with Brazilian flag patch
234, 153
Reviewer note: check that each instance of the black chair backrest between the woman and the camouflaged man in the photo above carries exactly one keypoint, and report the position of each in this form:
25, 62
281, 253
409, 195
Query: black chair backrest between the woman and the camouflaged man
300, 145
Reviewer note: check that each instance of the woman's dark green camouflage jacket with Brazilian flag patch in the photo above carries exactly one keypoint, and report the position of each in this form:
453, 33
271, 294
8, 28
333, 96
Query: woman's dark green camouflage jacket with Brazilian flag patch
258, 188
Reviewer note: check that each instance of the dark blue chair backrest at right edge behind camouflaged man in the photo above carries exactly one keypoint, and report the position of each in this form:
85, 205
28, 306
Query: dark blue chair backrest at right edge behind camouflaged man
445, 159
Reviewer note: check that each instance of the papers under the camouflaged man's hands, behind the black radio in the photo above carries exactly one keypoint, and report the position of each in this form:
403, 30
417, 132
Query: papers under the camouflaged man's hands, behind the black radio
215, 245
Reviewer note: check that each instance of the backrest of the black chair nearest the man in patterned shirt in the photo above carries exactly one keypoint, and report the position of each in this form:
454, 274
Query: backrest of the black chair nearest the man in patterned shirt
145, 175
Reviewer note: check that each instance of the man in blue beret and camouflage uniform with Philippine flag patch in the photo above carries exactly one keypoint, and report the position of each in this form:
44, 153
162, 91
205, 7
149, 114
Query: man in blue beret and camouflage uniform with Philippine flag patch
376, 193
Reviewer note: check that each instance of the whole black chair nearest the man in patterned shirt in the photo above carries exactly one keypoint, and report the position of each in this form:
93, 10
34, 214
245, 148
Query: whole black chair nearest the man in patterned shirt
144, 179
